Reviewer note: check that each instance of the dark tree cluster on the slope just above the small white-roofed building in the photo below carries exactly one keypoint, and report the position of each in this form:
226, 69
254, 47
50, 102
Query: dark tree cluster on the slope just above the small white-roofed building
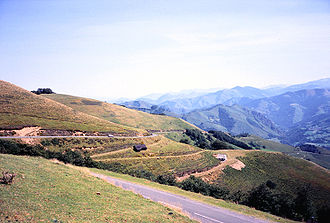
213, 140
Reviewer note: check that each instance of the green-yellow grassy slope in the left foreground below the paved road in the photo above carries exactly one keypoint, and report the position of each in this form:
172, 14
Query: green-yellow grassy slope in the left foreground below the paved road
44, 191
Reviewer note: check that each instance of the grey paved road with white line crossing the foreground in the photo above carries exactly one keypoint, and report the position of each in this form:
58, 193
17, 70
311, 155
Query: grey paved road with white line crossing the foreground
196, 210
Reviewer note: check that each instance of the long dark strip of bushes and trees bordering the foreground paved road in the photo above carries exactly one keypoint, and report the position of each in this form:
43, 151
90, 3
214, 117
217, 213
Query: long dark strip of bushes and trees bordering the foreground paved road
263, 197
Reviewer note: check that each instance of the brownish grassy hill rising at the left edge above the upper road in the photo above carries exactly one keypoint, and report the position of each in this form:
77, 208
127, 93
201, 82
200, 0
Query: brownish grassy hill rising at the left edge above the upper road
20, 107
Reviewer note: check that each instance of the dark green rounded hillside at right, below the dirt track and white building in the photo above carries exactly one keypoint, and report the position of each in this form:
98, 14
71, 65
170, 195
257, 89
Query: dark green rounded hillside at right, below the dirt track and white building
288, 173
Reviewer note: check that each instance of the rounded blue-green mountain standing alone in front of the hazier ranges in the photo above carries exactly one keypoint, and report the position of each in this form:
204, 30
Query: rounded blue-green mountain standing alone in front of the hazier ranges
233, 119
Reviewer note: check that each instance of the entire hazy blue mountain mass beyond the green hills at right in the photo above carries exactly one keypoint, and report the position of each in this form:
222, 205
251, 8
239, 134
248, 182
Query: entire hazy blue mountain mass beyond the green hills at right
300, 110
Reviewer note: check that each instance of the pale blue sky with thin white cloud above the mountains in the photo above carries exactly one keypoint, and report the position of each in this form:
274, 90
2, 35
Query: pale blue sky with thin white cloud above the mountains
129, 48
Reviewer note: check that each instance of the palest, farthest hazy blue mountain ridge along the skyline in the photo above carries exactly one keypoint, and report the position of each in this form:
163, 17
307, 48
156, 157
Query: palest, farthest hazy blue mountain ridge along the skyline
185, 102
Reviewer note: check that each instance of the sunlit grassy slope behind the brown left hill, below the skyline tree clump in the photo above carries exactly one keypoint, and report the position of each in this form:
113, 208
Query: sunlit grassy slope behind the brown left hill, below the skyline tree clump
120, 114
